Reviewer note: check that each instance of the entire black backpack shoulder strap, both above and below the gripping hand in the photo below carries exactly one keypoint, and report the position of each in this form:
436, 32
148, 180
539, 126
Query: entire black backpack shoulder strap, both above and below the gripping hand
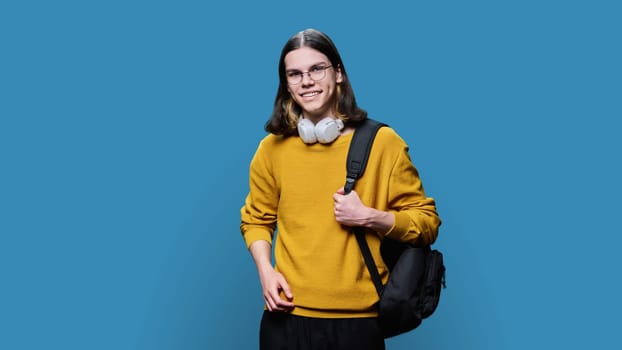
360, 147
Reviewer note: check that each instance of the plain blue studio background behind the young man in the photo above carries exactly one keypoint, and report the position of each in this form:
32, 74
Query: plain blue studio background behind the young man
126, 130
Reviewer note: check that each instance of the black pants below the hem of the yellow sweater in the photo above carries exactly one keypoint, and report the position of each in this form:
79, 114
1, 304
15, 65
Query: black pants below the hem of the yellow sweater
283, 331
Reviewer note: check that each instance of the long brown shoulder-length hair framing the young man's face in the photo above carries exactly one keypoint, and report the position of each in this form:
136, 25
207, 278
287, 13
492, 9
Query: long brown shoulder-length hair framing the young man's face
285, 114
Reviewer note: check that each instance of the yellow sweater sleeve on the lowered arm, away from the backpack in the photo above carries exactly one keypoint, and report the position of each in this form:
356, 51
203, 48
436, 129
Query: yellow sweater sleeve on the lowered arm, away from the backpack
258, 215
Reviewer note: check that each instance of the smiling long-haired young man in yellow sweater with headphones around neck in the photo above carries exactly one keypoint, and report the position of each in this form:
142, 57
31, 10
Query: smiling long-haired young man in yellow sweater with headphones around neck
319, 294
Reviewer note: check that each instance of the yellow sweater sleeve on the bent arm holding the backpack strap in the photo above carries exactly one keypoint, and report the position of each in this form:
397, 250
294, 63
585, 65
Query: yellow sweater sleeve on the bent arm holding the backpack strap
416, 219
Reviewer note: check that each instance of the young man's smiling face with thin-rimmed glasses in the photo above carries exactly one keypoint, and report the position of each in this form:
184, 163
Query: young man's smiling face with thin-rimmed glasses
315, 97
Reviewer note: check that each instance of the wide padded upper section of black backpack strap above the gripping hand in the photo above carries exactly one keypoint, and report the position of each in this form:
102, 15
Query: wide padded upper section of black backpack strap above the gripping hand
360, 147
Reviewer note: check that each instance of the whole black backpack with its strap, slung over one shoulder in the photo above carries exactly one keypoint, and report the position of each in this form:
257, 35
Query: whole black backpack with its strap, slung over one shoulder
416, 274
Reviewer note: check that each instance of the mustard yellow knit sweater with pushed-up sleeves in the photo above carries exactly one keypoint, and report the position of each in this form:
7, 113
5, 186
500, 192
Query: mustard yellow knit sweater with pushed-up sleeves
291, 187
